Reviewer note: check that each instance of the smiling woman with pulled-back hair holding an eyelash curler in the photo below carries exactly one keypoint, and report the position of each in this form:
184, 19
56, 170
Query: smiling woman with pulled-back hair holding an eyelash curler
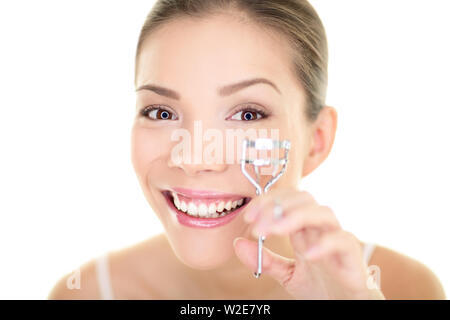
233, 65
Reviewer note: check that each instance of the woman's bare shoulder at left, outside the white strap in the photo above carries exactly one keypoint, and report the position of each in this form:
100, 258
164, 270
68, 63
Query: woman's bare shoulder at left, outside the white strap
80, 284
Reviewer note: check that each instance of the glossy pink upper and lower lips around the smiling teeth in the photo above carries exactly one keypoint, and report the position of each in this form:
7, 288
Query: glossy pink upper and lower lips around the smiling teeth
193, 222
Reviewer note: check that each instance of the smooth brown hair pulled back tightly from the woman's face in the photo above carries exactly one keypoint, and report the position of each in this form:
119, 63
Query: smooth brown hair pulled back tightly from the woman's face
295, 19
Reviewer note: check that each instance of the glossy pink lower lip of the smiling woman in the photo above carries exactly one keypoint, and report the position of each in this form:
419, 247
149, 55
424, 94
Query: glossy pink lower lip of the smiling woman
193, 222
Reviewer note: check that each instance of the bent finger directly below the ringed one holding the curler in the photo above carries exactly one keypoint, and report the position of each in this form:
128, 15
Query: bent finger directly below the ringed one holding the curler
298, 218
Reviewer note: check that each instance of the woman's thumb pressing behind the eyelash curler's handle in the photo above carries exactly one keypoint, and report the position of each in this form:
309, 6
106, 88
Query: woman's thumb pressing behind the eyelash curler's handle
278, 267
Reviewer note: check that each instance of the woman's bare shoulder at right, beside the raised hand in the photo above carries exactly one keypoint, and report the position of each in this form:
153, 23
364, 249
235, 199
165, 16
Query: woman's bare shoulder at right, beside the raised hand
403, 277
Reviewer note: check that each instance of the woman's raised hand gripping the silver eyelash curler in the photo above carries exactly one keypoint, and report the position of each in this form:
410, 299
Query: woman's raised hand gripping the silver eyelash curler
328, 260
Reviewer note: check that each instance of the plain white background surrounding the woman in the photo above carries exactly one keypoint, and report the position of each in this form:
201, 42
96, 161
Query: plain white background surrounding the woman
68, 191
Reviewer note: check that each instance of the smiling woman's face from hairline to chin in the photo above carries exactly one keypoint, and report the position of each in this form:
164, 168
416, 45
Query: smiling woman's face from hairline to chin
195, 58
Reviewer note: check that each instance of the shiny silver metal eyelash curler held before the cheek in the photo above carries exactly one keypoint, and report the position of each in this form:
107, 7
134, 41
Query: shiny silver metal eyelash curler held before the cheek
264, 144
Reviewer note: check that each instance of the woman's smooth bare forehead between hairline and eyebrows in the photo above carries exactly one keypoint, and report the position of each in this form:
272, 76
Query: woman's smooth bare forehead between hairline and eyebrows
210, 52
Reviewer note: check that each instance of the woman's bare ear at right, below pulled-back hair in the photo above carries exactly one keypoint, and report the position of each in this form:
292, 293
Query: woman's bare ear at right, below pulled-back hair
323, 132
